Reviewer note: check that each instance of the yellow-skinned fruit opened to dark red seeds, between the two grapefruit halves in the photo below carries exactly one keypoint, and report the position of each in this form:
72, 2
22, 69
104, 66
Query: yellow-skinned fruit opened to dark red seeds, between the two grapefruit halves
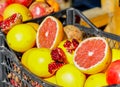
68, 47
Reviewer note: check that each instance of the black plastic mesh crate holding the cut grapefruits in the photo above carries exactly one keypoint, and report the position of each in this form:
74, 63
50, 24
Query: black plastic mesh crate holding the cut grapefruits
10, 63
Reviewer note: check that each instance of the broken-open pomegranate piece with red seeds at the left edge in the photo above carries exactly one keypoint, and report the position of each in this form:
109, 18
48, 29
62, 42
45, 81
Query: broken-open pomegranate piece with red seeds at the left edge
11, 21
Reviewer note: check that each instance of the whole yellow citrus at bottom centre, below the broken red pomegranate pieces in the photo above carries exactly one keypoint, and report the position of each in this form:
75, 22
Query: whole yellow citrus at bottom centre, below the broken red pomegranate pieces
69, 76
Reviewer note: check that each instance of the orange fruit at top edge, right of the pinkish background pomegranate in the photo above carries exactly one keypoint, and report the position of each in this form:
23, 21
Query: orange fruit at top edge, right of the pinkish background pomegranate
54, 4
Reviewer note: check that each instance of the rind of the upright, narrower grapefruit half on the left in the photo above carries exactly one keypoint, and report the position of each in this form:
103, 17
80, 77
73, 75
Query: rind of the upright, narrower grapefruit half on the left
59, 35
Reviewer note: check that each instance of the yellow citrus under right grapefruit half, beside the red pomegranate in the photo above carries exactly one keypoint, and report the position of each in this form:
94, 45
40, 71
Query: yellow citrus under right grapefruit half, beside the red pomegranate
96, 80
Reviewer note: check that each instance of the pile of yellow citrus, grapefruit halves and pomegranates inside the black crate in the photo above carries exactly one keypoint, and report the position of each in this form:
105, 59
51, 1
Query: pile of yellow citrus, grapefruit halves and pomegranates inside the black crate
60, 55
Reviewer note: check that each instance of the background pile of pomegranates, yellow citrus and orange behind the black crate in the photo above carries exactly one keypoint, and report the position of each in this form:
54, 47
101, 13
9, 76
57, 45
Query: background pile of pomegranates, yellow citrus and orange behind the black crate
27, 8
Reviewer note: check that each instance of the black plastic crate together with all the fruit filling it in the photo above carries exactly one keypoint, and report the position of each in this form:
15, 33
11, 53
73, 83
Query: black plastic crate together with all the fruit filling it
56, 50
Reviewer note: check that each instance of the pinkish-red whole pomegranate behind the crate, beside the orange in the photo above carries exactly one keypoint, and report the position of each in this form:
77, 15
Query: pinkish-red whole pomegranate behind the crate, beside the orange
39, 9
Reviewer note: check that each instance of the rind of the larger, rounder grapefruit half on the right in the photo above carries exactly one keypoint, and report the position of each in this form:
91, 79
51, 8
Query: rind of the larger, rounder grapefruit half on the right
100, 66
